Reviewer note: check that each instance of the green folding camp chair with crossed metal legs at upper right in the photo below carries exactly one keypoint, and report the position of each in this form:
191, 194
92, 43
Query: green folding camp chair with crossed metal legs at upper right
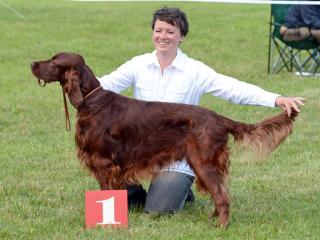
303, 56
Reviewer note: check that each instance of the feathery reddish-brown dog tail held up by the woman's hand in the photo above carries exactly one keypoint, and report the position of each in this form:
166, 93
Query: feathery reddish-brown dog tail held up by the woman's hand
265, 136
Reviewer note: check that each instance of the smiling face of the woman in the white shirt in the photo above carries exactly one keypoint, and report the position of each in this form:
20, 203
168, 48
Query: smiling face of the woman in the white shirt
166, 37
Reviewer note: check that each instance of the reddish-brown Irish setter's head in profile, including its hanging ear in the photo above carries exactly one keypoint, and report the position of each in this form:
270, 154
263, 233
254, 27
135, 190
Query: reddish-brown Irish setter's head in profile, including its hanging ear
65, 68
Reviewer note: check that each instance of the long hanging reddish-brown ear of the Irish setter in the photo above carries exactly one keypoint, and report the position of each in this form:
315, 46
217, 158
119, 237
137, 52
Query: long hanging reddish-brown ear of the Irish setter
72, 87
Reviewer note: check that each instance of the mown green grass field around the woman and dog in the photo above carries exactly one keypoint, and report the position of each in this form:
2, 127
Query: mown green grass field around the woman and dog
42, 185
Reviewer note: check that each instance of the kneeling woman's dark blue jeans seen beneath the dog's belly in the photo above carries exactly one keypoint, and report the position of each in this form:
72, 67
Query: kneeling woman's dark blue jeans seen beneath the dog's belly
167, 193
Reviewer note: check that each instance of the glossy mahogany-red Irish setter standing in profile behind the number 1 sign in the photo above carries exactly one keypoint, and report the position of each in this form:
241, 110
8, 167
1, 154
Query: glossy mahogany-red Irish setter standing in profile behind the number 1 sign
121, 140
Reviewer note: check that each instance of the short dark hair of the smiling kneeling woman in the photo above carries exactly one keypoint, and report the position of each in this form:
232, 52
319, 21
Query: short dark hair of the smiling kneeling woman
173, 16
